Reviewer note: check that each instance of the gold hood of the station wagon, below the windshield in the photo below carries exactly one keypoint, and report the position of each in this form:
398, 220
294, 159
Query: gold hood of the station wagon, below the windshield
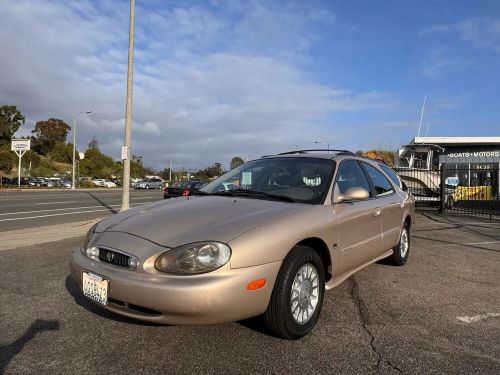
179, 221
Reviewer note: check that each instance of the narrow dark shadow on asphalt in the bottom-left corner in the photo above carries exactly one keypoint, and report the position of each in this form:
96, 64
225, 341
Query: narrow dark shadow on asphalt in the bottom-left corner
9, 351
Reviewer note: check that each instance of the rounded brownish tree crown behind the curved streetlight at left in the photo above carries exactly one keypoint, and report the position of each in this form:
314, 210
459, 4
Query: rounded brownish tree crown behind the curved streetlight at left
47, 133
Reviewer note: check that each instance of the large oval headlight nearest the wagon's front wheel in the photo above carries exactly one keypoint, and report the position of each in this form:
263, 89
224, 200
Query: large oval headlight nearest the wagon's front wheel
195, 258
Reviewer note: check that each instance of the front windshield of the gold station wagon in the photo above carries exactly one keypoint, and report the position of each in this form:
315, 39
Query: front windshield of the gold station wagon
294, 179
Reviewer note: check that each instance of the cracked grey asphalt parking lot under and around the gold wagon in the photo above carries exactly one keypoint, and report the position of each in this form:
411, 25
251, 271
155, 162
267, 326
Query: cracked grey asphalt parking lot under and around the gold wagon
438, 314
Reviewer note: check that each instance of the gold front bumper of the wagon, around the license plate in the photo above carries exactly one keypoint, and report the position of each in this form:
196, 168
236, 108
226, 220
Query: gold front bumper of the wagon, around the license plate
215, 297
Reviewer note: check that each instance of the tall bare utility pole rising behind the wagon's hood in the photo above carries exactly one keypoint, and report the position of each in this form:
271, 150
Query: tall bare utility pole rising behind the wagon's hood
128, 113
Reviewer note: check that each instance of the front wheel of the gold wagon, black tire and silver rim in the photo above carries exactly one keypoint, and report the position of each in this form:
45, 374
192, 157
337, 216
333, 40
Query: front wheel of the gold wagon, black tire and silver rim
279, 318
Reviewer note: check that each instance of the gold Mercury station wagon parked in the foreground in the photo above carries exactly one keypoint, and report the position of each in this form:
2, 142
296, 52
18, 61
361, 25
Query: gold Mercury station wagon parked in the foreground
291, 226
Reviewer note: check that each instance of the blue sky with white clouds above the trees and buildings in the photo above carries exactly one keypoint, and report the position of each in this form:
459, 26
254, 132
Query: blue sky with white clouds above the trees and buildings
222, 78
